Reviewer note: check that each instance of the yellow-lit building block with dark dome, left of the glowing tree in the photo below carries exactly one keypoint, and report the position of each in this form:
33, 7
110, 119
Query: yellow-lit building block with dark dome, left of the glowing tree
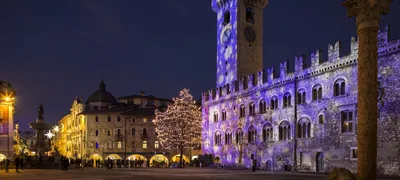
106, 127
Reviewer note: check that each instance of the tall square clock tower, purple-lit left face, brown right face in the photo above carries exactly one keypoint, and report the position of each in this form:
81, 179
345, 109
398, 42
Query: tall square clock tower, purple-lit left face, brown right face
239, 38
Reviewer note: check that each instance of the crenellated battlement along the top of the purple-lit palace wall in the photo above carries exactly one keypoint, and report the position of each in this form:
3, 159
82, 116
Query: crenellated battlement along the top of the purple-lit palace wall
335, 60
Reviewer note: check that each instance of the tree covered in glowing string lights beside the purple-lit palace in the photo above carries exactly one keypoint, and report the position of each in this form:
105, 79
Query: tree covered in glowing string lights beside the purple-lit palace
180, 124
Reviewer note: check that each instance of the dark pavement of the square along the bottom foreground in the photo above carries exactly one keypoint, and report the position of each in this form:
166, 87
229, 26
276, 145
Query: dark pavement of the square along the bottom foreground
155, 174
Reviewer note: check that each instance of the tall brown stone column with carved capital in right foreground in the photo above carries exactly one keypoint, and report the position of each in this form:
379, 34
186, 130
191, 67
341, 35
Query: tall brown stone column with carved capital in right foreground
368, 14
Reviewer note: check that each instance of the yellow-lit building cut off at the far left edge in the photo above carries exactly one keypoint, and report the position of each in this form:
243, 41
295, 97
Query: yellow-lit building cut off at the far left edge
7, 97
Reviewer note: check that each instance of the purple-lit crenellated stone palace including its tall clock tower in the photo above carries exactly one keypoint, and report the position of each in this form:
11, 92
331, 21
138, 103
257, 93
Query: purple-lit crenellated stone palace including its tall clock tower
306, 118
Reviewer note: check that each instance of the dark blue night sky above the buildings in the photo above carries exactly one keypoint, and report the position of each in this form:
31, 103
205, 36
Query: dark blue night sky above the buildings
52, 51
